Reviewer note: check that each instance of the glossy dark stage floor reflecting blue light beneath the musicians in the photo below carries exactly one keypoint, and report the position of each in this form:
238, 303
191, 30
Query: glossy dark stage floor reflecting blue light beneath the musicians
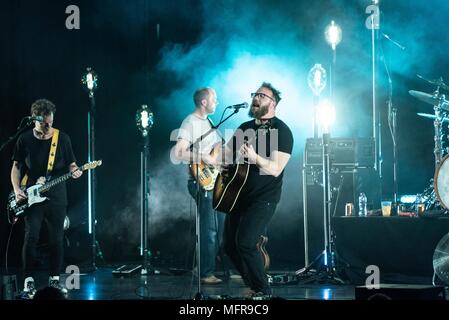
102, 285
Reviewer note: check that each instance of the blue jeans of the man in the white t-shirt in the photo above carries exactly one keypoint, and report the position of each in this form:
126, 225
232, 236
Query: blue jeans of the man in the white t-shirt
211, 223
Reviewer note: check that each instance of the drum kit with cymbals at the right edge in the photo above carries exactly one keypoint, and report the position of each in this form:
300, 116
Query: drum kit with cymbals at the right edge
436, 196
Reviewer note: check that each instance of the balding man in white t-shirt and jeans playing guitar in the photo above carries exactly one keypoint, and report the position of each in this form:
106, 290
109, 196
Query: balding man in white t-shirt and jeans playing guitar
200, 157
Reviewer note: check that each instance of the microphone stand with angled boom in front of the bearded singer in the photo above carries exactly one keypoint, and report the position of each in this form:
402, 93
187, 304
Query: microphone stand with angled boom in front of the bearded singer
199, 295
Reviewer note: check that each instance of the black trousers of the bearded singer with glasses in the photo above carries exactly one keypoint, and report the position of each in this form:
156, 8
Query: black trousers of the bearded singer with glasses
243, 228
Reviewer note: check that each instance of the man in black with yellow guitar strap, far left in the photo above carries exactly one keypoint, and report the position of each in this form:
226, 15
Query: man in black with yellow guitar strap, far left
31, 158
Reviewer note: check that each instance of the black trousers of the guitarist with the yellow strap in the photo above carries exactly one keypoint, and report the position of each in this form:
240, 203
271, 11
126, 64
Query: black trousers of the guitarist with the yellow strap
34, 217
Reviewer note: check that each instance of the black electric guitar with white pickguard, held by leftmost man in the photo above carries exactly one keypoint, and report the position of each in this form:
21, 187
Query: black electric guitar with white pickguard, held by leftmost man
34, 193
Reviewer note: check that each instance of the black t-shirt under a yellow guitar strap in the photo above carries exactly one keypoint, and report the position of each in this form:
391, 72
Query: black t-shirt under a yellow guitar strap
33, 153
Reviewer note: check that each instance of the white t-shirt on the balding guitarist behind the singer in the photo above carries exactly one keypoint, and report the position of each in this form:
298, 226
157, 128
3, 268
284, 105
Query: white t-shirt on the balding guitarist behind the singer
194, 127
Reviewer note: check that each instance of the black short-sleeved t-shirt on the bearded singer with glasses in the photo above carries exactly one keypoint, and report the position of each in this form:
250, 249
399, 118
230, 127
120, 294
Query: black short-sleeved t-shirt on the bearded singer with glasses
259, 185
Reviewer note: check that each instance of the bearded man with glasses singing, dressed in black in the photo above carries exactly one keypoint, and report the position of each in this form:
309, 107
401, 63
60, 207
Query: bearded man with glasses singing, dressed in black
261, 193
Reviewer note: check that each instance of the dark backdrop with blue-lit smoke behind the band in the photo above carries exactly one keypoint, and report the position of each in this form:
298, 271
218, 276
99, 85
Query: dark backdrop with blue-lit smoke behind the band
232, 46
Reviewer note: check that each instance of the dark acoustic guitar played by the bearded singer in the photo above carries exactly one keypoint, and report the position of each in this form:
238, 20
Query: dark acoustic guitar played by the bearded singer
228, 186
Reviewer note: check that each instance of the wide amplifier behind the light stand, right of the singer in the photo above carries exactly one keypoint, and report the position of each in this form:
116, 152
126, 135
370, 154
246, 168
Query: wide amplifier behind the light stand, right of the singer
346, 152
